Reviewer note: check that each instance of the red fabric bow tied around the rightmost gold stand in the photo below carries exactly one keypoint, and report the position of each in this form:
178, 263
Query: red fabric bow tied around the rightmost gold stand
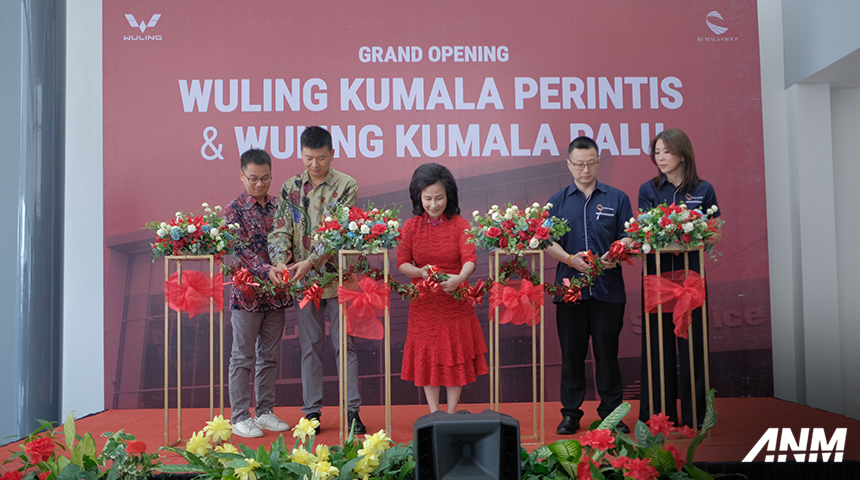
688, 295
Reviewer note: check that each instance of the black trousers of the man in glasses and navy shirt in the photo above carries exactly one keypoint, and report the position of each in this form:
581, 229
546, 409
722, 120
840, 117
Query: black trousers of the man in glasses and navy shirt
602, 322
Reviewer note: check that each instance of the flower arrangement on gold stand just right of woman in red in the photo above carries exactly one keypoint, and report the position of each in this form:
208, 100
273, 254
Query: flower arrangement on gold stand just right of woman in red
516, 230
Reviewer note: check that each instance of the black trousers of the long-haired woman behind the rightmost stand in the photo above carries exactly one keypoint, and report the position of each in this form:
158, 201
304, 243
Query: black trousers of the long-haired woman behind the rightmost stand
675, 385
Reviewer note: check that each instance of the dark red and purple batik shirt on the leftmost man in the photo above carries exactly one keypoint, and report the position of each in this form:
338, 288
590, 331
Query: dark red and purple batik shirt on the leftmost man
255, 223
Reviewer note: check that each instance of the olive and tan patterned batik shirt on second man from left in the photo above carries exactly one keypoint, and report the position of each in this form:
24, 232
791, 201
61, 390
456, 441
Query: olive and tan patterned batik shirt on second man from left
301, 210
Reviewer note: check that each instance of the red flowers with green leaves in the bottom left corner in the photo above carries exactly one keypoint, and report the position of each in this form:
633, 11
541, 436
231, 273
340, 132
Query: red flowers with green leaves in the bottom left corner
48, 454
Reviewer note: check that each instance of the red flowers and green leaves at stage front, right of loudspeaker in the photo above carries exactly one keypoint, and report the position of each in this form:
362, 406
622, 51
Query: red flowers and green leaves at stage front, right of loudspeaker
604, 452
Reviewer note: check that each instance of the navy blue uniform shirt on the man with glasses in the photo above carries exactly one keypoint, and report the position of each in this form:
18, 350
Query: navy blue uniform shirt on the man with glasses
595, 223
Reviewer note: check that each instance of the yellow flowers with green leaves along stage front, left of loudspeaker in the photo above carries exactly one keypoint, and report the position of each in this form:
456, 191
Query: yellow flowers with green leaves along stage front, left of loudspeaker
210, 454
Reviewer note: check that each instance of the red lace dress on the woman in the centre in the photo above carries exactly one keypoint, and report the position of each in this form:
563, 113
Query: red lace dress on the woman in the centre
444, 342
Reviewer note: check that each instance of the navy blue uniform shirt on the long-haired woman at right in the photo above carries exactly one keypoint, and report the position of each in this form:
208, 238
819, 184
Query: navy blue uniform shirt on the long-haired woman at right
701, 197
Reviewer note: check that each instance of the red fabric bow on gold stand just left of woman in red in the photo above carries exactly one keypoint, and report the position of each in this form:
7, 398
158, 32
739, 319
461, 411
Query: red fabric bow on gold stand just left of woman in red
361, 317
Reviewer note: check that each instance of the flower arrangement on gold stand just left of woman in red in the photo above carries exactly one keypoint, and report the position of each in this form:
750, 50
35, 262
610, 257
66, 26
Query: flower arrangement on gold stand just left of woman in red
369, 230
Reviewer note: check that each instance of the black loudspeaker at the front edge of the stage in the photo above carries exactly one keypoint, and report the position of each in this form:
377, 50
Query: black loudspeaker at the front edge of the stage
477, 446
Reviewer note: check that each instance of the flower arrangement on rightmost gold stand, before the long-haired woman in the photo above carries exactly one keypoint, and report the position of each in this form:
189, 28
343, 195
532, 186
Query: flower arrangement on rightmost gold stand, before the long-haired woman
664, 225
